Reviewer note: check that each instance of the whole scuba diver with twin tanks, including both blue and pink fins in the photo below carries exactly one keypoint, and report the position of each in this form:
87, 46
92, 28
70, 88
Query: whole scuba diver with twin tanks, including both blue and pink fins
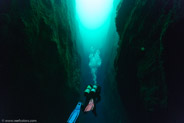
92, 94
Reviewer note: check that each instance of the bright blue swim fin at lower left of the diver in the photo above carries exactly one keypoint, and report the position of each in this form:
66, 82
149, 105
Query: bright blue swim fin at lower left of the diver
75, 114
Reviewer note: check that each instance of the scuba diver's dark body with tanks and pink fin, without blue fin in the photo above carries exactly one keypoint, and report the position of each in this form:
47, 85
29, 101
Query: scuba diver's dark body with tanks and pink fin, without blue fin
92, 93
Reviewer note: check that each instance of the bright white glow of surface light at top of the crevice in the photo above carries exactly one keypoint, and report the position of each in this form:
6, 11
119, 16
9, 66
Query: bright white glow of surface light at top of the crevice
93, 13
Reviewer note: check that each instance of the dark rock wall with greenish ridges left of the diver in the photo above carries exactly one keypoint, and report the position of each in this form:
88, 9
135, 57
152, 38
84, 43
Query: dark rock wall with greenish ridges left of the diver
40, 73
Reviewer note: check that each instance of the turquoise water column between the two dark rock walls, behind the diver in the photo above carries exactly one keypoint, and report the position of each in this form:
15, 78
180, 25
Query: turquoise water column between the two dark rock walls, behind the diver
97, 42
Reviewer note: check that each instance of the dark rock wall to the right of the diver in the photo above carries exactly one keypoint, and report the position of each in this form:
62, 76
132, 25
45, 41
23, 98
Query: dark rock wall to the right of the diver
143, 72
